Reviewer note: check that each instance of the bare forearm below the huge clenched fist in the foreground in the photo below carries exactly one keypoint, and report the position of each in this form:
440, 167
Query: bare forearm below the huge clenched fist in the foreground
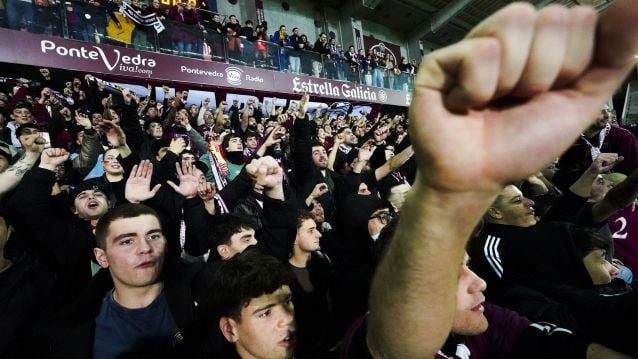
426, 252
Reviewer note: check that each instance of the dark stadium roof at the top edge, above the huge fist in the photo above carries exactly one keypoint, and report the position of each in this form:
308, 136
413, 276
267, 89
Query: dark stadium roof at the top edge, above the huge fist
414, 17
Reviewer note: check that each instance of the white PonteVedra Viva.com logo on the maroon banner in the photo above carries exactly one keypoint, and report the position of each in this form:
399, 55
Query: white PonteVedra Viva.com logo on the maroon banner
111, 58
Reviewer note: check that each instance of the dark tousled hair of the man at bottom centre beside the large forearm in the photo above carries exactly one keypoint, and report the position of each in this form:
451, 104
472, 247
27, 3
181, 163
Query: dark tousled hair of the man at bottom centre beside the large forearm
244, 277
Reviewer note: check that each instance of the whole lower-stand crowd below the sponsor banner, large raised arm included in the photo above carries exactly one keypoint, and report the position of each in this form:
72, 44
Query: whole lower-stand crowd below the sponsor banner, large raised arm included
133, 228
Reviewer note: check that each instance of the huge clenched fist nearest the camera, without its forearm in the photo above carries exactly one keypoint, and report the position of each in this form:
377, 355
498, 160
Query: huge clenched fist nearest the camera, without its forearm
516, 91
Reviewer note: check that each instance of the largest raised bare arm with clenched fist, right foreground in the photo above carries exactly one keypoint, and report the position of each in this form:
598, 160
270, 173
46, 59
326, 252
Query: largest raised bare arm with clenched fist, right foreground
477, 125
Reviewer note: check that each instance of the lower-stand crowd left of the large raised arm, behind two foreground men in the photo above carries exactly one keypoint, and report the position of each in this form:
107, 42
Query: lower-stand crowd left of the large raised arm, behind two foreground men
221, 178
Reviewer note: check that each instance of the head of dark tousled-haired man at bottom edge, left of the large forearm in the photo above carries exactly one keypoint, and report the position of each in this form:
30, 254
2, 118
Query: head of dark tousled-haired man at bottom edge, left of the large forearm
252, 294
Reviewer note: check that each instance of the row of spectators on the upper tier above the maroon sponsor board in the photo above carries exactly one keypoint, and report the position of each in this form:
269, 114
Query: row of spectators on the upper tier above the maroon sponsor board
194, 31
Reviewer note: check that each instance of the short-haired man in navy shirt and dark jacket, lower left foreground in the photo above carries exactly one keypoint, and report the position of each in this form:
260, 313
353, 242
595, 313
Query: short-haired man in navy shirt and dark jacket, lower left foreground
139, 287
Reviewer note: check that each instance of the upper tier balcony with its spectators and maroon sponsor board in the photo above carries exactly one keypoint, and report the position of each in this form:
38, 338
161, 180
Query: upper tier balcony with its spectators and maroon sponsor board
84, 37
